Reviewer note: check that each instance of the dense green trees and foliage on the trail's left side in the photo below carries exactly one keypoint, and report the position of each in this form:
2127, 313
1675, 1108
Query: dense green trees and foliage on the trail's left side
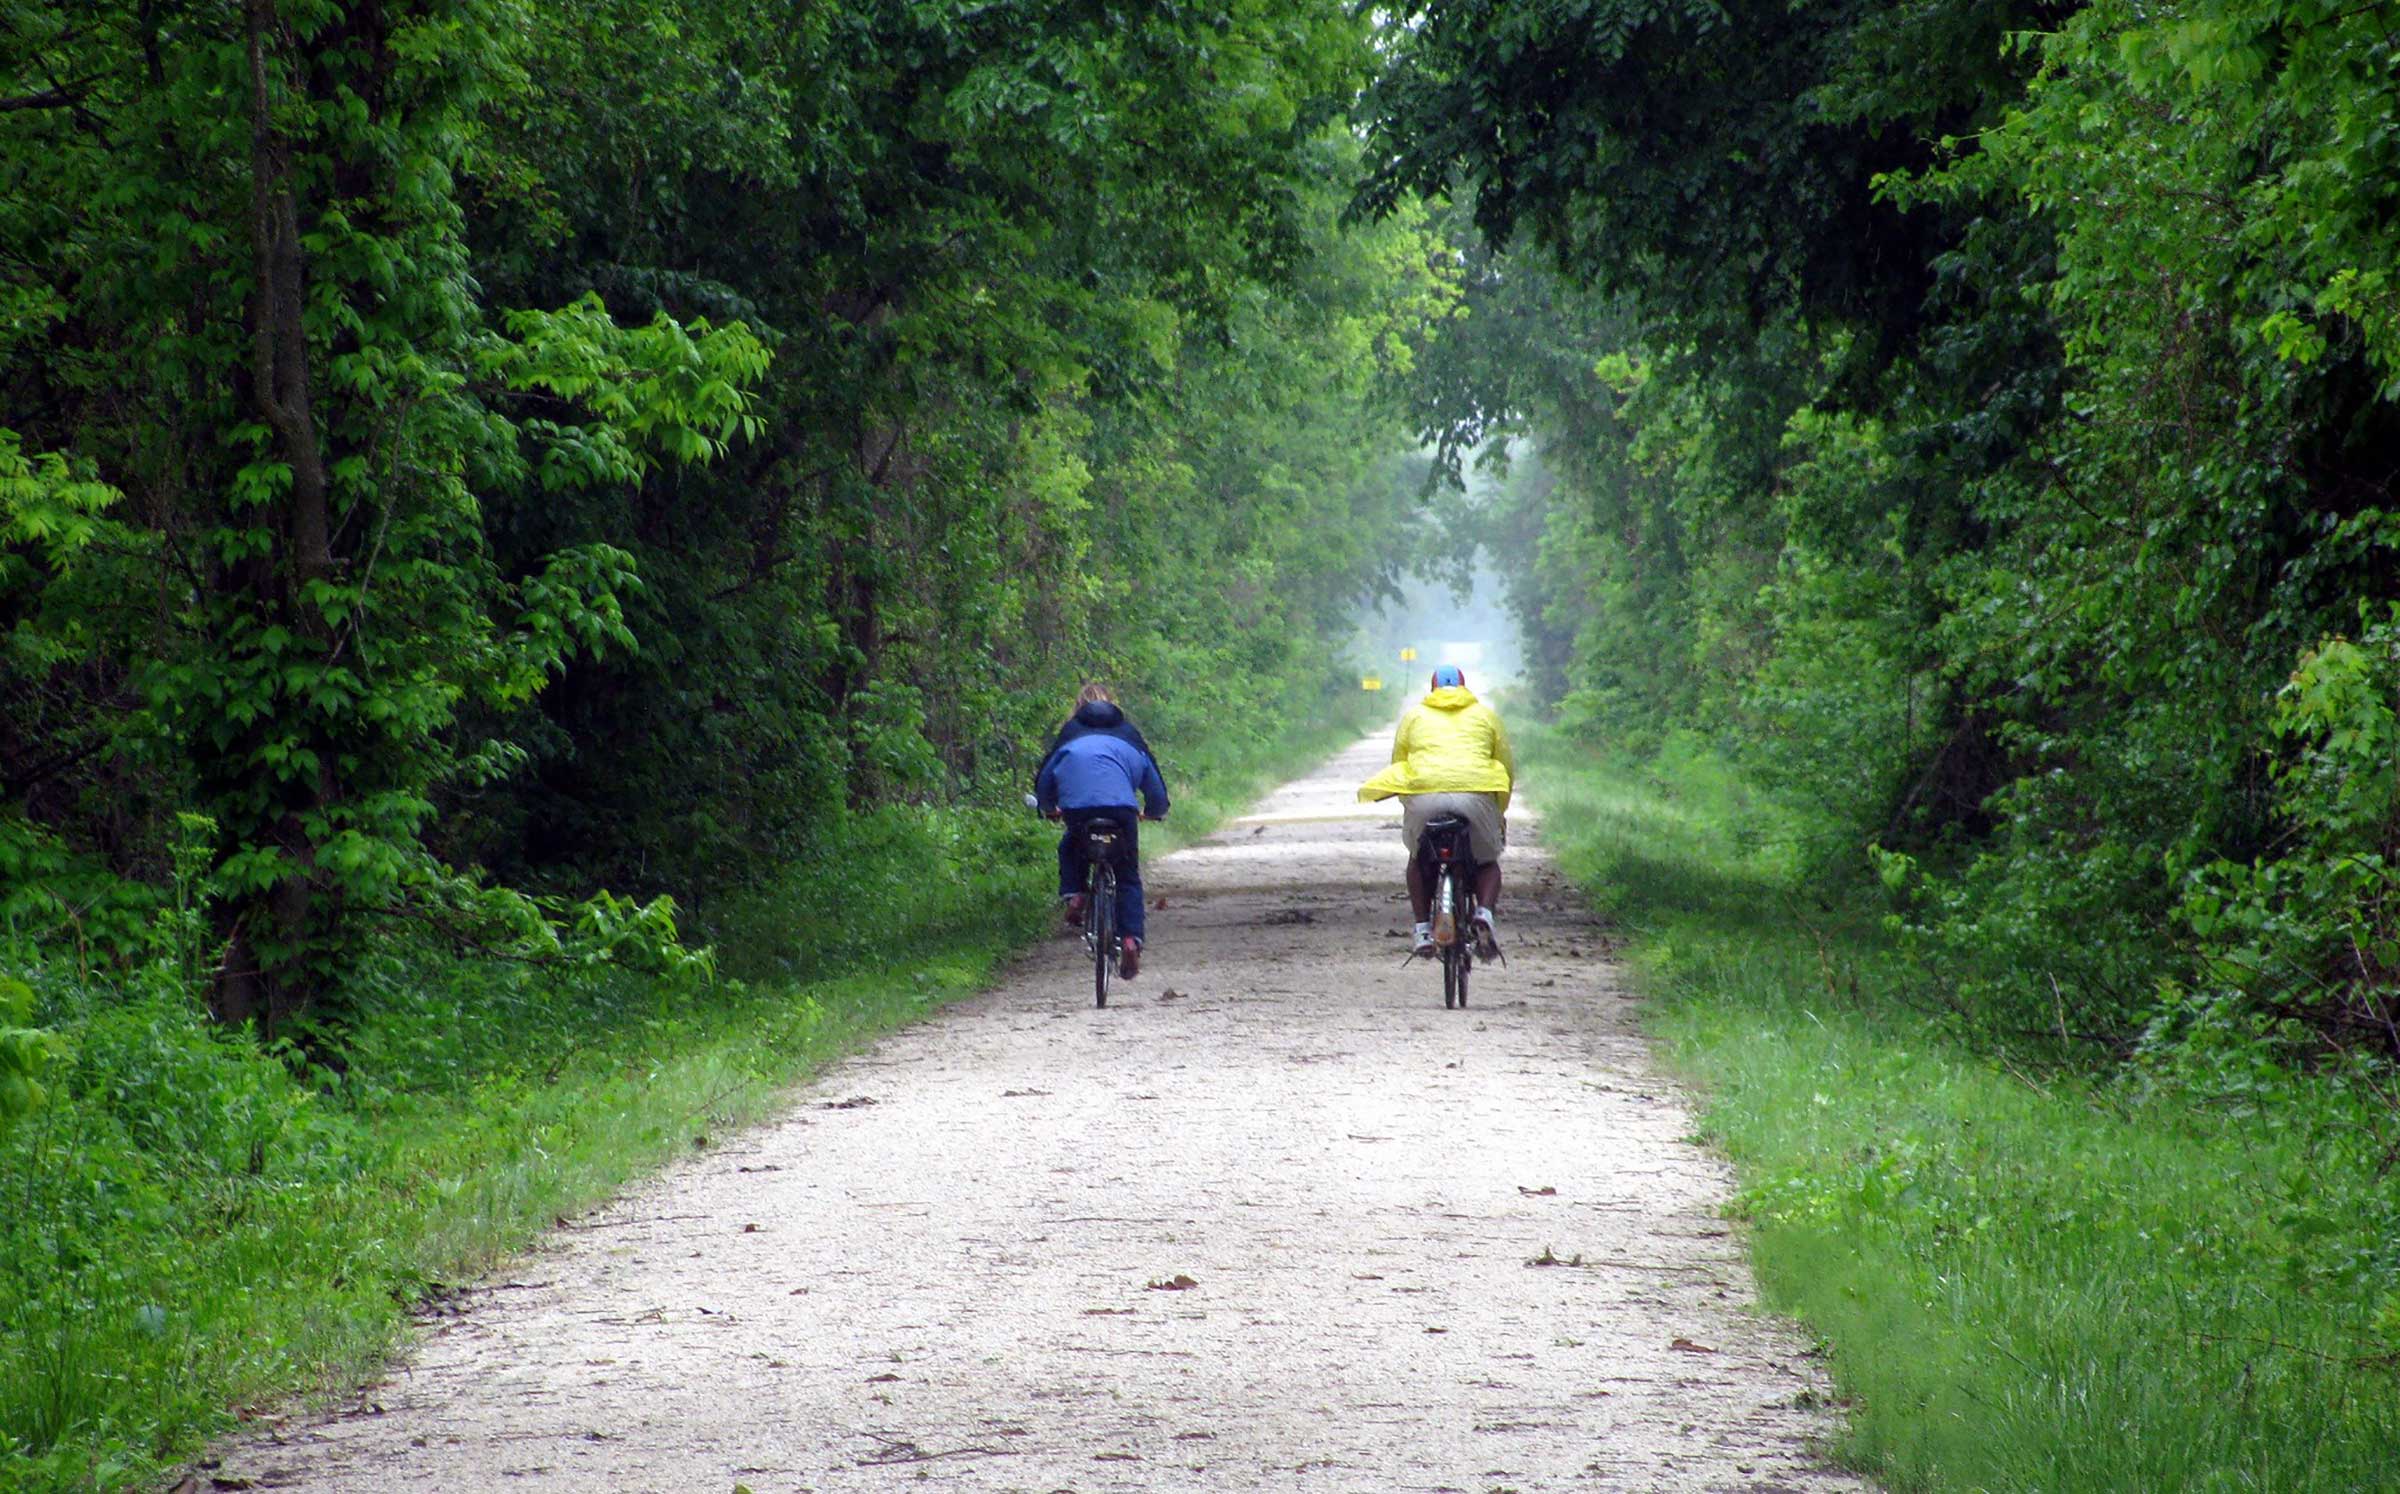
604, 446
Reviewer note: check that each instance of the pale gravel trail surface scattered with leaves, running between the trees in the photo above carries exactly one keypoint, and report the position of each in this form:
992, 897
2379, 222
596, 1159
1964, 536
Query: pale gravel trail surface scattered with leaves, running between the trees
1271, 1221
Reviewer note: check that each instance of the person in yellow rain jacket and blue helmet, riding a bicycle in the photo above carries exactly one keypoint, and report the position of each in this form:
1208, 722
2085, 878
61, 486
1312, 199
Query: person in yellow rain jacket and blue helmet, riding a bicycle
1451, 758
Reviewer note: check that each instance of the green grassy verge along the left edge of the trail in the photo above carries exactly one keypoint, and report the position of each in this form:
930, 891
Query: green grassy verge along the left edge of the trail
193, 1229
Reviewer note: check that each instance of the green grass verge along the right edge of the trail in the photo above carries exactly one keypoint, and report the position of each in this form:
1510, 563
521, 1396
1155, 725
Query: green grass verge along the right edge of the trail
2024, 1279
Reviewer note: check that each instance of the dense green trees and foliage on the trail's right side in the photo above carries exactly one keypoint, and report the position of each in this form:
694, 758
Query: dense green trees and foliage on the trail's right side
1986, 419
